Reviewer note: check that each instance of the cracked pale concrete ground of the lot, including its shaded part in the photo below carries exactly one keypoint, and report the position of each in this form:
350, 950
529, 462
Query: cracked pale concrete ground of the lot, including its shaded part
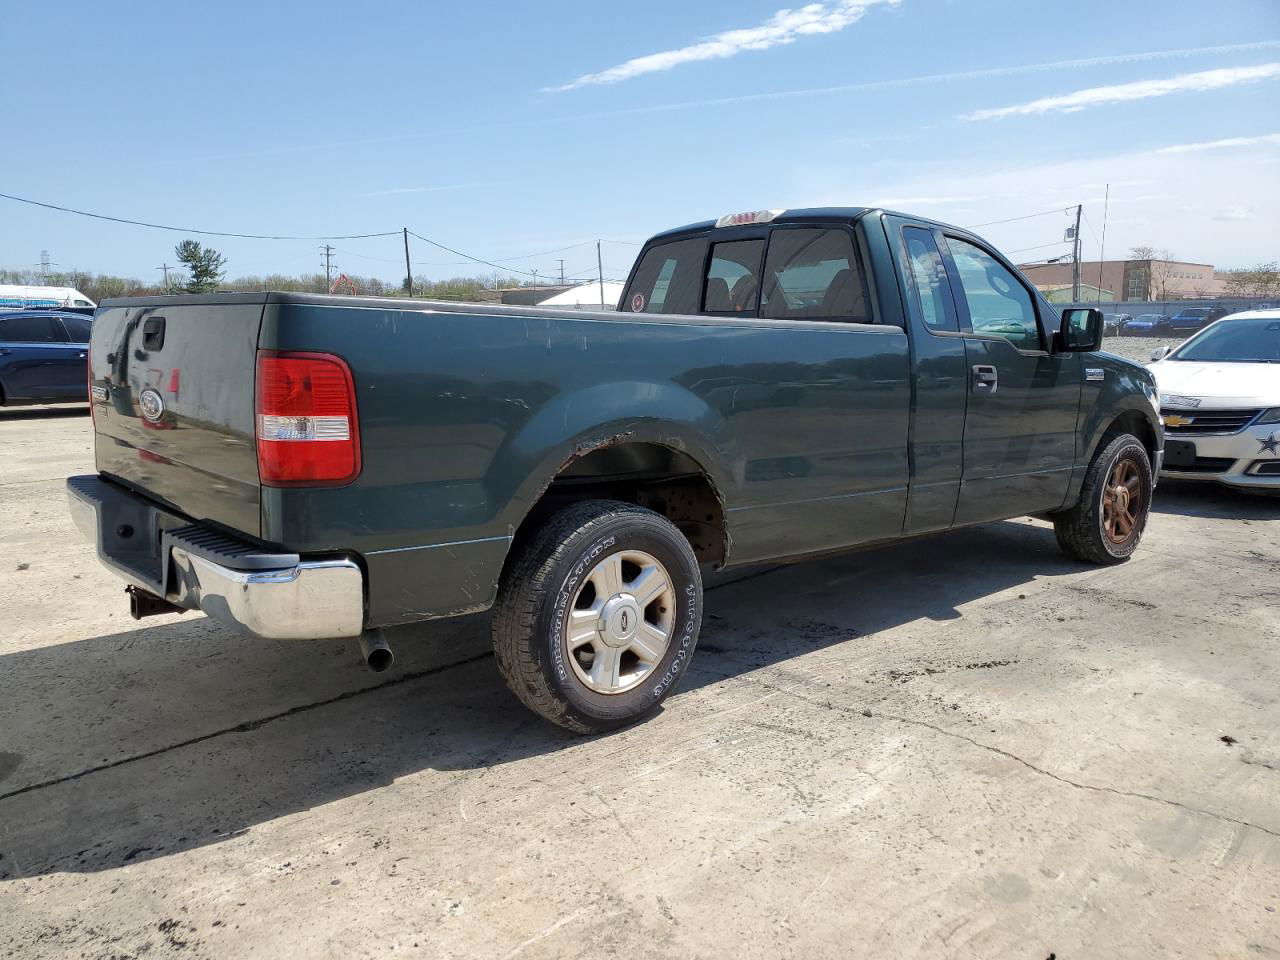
967, 747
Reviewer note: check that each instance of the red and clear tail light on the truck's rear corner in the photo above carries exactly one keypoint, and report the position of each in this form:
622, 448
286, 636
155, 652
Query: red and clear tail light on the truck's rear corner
308, 432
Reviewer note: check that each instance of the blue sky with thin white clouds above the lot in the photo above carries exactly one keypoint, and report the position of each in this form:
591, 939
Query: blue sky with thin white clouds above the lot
508, 130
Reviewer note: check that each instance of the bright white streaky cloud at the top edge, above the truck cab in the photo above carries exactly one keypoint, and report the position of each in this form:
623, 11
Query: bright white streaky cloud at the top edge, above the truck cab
783, 28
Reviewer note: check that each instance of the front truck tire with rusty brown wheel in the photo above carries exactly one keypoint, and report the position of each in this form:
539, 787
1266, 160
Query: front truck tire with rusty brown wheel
1108, 523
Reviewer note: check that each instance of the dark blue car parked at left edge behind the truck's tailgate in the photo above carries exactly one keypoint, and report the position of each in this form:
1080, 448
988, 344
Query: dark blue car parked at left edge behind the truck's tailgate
43, 358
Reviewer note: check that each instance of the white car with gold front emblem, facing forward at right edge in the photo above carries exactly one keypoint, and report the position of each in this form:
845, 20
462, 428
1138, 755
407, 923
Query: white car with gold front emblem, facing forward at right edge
1220, 400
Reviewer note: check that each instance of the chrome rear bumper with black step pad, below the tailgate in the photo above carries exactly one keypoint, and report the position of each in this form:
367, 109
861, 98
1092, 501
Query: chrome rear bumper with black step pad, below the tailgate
263, 595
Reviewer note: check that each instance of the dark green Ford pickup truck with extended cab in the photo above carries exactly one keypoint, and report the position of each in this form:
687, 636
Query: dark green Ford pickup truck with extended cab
775, 386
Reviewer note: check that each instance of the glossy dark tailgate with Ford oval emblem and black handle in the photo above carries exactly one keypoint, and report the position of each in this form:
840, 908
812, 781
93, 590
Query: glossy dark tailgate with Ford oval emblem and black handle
172, 390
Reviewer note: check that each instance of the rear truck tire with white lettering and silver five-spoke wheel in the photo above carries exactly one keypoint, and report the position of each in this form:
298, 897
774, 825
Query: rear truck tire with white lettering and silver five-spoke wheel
598, 616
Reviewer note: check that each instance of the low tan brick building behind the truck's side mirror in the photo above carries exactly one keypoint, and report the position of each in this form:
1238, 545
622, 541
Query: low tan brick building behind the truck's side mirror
1128, 280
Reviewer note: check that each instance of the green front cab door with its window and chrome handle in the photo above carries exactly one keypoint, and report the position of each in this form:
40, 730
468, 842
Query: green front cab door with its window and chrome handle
1021, 422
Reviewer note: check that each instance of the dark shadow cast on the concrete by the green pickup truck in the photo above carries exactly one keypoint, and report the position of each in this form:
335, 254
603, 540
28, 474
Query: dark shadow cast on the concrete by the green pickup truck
125, 748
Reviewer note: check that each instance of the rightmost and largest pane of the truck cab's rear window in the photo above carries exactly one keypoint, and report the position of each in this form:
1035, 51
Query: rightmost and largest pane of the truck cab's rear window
813, 275
